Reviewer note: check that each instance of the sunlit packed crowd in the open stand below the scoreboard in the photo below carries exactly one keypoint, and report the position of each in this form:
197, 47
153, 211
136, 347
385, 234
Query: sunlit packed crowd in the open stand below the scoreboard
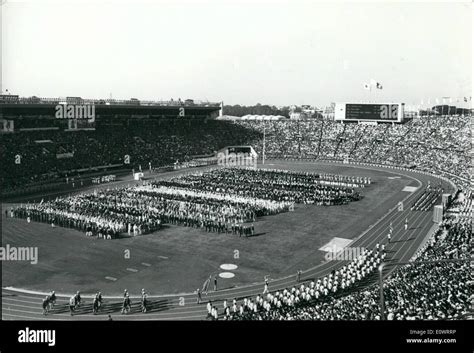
438, 144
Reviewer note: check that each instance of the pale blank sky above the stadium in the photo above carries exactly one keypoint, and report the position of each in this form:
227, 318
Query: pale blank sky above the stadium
239, 52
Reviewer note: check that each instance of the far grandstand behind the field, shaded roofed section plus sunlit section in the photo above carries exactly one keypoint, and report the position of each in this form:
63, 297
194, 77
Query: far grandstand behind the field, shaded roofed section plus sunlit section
50, 149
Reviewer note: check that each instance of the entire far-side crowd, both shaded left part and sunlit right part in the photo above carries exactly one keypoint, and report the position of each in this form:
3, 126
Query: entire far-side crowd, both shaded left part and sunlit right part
431, 143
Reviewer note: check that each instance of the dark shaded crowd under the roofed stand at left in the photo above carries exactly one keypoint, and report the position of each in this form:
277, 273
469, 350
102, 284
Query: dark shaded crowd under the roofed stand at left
155, 142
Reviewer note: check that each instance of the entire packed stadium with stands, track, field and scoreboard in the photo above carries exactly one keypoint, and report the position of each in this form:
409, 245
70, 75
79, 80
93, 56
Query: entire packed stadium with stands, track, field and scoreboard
354, 215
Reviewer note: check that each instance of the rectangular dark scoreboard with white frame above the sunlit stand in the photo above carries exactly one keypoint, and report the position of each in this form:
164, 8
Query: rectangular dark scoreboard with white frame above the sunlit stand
374, 112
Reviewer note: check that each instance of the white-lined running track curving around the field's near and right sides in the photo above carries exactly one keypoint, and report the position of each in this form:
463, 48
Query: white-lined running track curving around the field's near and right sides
26, 305
